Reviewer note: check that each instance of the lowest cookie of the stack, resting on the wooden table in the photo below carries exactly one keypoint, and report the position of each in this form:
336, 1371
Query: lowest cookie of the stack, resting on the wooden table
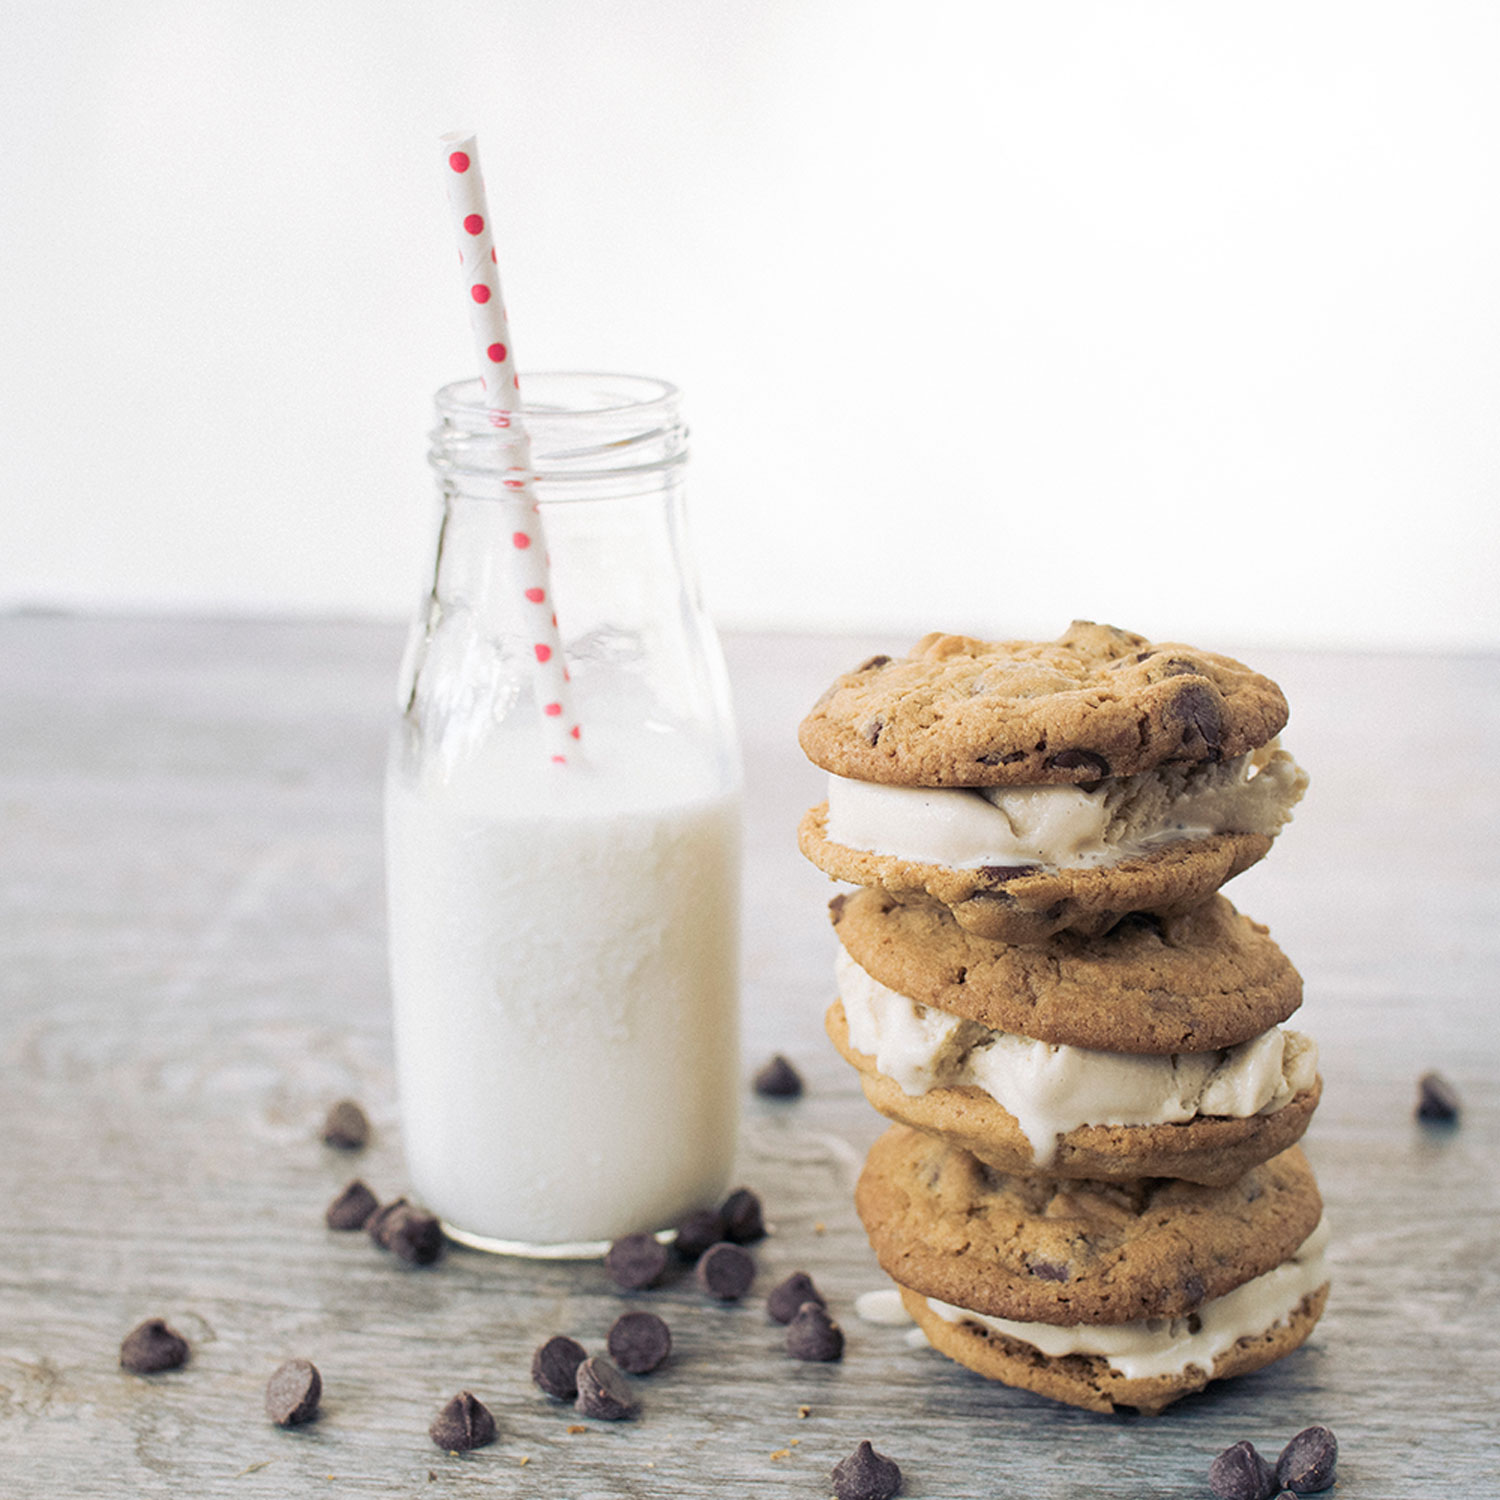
1091, 1381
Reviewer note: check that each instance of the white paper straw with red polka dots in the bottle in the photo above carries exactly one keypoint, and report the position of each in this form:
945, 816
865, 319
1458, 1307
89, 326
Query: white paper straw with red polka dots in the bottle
527, 556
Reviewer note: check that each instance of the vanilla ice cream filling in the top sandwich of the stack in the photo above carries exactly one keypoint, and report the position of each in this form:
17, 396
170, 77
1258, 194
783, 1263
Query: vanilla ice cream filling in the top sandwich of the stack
1066, 827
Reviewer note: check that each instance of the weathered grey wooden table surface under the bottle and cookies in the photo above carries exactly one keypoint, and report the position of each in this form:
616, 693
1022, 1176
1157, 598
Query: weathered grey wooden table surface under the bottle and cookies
191, 970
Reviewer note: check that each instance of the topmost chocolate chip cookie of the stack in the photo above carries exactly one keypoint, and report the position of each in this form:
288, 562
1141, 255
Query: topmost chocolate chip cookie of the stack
1096, 703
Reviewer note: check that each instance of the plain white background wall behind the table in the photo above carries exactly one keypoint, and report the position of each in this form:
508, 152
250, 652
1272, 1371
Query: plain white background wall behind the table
988, 316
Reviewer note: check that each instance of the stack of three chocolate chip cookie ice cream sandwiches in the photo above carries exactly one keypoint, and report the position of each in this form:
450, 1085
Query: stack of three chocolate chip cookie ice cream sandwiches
1093, 1189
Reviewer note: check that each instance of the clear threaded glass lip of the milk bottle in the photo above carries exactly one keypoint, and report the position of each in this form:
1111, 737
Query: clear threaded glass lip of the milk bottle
583, 425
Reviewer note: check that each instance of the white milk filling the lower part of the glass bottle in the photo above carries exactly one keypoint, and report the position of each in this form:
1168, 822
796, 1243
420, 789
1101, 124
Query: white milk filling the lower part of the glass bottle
565, 967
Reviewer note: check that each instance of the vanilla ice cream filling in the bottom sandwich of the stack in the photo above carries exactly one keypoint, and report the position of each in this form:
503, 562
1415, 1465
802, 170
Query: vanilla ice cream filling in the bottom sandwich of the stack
1168, 1346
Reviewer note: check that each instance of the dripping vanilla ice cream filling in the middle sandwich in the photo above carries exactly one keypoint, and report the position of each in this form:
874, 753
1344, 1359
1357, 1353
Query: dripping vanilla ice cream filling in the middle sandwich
1052, 1090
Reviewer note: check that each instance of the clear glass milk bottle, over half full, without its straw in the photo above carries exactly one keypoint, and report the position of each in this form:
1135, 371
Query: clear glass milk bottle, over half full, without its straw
565, 938
